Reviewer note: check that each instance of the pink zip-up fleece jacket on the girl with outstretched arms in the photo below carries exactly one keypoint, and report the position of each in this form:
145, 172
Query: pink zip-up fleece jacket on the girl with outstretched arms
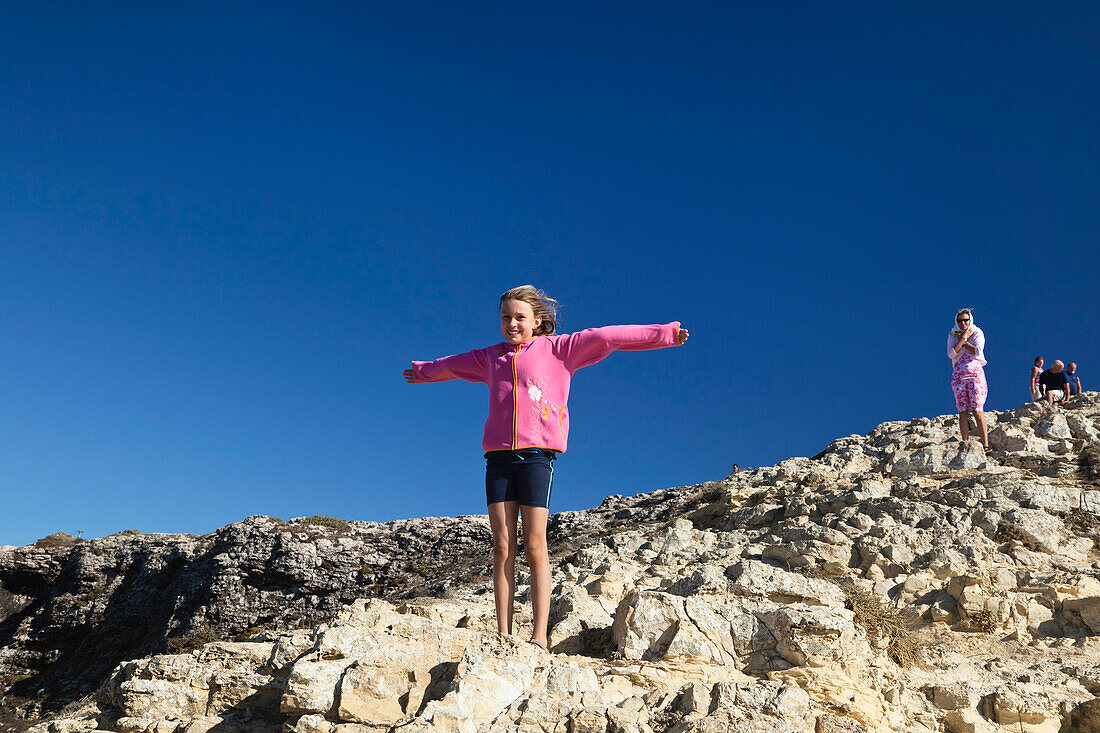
529, 385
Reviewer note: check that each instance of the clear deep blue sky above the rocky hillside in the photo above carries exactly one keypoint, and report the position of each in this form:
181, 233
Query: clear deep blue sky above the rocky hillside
227, 228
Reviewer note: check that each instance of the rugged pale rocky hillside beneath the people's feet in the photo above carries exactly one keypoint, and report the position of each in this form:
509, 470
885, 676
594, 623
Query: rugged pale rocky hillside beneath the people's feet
896, 582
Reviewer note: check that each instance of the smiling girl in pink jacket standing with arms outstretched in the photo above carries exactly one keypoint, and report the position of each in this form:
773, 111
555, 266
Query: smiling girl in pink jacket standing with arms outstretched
529, 378
